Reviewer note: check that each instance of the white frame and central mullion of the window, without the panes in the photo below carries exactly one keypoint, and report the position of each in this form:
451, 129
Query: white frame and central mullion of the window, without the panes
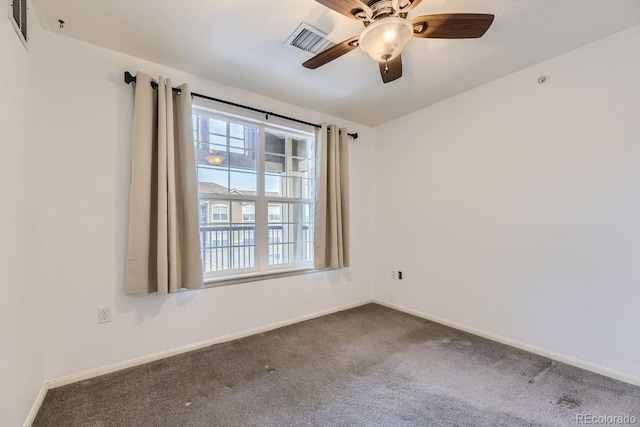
261, 201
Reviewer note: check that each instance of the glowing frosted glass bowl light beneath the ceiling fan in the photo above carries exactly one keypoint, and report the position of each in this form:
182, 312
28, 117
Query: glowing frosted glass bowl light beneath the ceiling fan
384, 39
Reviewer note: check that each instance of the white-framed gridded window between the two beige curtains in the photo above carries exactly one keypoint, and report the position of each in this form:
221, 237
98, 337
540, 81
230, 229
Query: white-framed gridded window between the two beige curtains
257, 182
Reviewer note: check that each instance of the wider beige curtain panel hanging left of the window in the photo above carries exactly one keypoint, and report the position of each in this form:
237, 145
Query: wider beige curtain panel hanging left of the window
164, 240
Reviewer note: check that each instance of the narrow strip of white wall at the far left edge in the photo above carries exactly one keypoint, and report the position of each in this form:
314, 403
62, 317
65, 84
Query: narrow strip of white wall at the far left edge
21, 376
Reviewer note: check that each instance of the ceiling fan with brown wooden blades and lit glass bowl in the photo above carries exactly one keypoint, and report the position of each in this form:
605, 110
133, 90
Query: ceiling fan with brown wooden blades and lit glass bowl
387, 31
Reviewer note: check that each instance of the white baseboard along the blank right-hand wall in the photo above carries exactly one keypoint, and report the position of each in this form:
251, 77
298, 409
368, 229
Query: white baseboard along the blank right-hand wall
621, 376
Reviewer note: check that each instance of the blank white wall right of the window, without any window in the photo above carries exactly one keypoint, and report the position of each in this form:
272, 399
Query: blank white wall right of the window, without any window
514, 208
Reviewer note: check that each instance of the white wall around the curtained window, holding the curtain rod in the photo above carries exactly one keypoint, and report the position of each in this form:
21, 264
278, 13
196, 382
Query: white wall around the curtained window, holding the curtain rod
85, 125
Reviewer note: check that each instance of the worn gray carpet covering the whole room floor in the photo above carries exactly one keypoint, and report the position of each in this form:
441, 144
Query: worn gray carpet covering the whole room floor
368, 366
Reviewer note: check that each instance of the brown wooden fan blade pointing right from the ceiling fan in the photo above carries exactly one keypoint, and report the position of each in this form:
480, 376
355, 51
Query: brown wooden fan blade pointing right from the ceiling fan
452, 25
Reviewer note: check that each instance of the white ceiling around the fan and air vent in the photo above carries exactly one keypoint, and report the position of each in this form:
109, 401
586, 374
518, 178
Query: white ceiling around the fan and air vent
241, 43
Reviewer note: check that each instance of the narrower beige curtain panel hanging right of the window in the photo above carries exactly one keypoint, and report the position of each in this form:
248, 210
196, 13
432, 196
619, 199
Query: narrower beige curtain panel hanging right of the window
331, 231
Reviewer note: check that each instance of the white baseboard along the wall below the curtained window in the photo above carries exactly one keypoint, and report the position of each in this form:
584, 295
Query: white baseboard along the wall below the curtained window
59, 382
